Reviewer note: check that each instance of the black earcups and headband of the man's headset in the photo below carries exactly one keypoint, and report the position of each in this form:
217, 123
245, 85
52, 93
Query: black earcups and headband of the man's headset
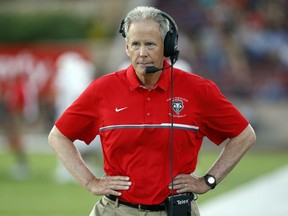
170, 40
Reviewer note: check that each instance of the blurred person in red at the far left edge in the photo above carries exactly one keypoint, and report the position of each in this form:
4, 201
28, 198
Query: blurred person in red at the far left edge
13, 100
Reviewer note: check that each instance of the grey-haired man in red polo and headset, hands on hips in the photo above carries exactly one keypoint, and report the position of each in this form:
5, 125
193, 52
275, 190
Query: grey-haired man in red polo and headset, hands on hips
150, 134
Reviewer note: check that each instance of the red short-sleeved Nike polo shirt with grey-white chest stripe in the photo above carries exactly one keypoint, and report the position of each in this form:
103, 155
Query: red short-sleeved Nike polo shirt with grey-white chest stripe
134, 126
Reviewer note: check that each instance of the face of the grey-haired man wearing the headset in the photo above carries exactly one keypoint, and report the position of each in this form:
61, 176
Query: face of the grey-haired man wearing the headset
145, 45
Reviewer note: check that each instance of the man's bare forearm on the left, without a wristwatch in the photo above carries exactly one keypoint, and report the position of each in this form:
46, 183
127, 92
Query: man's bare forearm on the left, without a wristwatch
69, 156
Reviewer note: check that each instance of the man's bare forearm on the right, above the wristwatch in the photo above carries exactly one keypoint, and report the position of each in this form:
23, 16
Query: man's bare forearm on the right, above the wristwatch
232, 153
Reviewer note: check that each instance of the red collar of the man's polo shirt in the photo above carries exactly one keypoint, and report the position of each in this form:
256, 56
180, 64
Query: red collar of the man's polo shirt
163, 82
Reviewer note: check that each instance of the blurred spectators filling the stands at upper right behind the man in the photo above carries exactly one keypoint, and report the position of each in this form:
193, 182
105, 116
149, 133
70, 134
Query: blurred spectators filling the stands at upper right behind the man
240, 44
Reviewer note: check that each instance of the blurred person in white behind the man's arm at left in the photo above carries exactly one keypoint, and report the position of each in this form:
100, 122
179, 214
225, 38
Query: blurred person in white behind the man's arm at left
74, 74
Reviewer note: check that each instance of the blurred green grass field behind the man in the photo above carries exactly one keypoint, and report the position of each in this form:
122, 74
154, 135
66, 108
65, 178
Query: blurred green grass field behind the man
41, 195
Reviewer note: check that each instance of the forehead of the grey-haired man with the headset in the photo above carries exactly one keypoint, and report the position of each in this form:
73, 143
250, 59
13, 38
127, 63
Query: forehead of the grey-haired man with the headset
144, 29
